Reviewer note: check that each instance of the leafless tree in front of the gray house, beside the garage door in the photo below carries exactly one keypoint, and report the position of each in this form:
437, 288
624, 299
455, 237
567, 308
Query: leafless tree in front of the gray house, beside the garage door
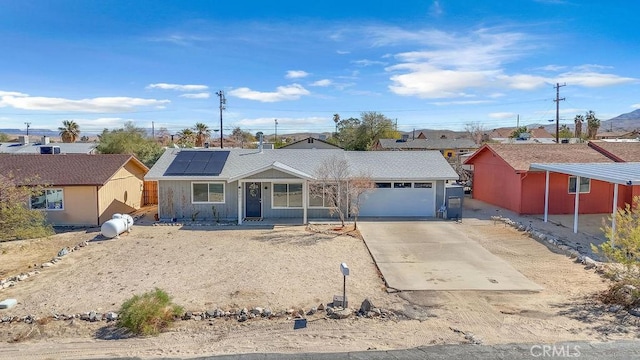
338, 190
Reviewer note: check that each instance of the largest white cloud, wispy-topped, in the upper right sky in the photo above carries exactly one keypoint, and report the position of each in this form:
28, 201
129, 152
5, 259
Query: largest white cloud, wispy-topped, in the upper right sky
454, 65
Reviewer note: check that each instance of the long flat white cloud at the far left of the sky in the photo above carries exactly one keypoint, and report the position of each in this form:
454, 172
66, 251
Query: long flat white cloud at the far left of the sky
99, 104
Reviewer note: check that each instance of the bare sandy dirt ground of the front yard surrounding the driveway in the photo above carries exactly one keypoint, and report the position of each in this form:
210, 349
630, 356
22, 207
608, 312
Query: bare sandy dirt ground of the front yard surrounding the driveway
287, 267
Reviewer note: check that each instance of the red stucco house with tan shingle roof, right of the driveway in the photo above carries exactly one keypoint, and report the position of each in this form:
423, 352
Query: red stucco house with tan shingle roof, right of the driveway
502, 177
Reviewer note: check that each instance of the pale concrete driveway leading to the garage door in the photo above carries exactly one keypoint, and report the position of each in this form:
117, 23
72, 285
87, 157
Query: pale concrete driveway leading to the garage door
434, 255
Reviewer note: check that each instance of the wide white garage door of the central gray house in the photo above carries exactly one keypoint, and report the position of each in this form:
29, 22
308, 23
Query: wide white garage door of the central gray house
400, 202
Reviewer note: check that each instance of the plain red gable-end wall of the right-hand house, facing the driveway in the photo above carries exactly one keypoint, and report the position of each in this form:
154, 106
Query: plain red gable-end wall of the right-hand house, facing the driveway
495, 182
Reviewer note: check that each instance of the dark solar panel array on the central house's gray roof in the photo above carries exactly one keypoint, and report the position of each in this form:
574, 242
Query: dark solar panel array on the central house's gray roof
194, 163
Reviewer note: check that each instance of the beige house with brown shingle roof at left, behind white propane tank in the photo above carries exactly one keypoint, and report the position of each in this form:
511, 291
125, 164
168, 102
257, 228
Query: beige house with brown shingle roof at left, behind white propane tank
81, 189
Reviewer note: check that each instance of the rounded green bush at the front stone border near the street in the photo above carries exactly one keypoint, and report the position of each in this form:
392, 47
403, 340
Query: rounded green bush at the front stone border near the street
149, 313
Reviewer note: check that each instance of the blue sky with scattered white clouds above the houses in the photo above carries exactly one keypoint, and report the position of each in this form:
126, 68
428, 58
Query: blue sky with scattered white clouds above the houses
429, 64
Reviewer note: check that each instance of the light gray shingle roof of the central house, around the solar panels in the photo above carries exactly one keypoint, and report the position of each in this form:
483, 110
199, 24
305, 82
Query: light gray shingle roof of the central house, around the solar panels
379, 165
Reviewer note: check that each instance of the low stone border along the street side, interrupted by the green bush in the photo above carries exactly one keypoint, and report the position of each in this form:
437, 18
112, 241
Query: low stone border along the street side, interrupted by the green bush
367, 310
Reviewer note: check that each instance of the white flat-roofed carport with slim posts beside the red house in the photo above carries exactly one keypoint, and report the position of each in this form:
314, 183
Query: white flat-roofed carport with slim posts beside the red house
614, 173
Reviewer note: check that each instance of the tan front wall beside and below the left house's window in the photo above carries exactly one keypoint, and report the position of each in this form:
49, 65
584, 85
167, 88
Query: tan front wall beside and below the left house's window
80, 207
